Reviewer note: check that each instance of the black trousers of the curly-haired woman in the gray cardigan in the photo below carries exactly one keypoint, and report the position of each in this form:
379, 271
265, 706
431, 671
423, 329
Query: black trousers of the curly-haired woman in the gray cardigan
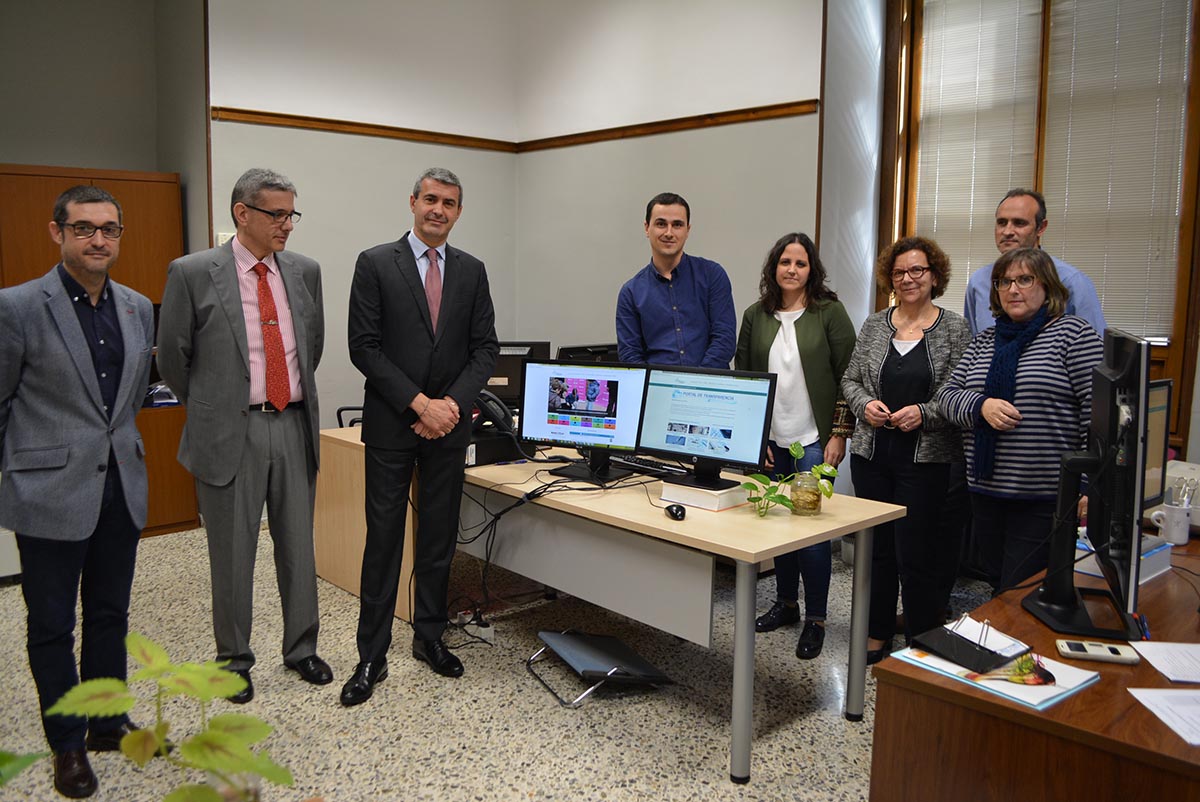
915, 559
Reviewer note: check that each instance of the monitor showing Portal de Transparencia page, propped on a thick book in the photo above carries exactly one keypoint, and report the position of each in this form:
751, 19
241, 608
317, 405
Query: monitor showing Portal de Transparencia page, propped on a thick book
709, 418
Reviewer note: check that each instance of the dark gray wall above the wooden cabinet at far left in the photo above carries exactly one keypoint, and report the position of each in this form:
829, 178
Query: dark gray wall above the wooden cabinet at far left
79, 87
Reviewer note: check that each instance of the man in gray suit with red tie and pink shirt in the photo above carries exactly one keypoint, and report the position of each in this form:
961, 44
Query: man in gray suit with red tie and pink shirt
242, 331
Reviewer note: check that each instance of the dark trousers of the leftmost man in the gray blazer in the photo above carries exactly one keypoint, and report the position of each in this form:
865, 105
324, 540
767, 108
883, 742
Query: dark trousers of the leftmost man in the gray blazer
55, 576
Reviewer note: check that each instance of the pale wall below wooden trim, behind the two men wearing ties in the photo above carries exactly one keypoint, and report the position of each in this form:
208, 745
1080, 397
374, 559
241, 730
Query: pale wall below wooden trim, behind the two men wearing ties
353, 193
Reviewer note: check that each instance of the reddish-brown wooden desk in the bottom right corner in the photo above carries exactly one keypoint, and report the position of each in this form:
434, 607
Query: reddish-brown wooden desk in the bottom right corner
939, 739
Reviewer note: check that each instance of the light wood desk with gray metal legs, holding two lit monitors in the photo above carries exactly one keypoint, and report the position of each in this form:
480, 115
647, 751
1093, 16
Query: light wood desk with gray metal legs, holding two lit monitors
621, 523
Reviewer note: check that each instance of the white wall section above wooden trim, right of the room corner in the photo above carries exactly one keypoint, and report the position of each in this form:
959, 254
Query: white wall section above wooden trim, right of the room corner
597, 65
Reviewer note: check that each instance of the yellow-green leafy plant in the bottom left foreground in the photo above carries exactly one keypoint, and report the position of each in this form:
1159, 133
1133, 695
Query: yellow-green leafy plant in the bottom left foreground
221, 747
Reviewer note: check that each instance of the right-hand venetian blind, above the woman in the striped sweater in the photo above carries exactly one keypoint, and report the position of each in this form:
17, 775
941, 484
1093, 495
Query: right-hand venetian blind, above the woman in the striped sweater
1114, 152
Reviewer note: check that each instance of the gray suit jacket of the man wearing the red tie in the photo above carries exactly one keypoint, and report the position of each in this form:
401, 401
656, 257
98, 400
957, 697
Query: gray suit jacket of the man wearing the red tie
205, 357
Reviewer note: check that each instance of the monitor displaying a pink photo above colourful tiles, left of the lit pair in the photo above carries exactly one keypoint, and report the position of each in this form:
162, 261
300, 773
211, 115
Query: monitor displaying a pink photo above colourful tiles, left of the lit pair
596, 406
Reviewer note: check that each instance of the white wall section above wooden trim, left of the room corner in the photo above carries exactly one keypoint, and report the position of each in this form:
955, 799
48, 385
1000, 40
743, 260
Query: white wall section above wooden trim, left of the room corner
435, 67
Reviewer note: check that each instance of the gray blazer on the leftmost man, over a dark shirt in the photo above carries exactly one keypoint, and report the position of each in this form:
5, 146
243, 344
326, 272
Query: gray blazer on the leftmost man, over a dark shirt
55, 434
